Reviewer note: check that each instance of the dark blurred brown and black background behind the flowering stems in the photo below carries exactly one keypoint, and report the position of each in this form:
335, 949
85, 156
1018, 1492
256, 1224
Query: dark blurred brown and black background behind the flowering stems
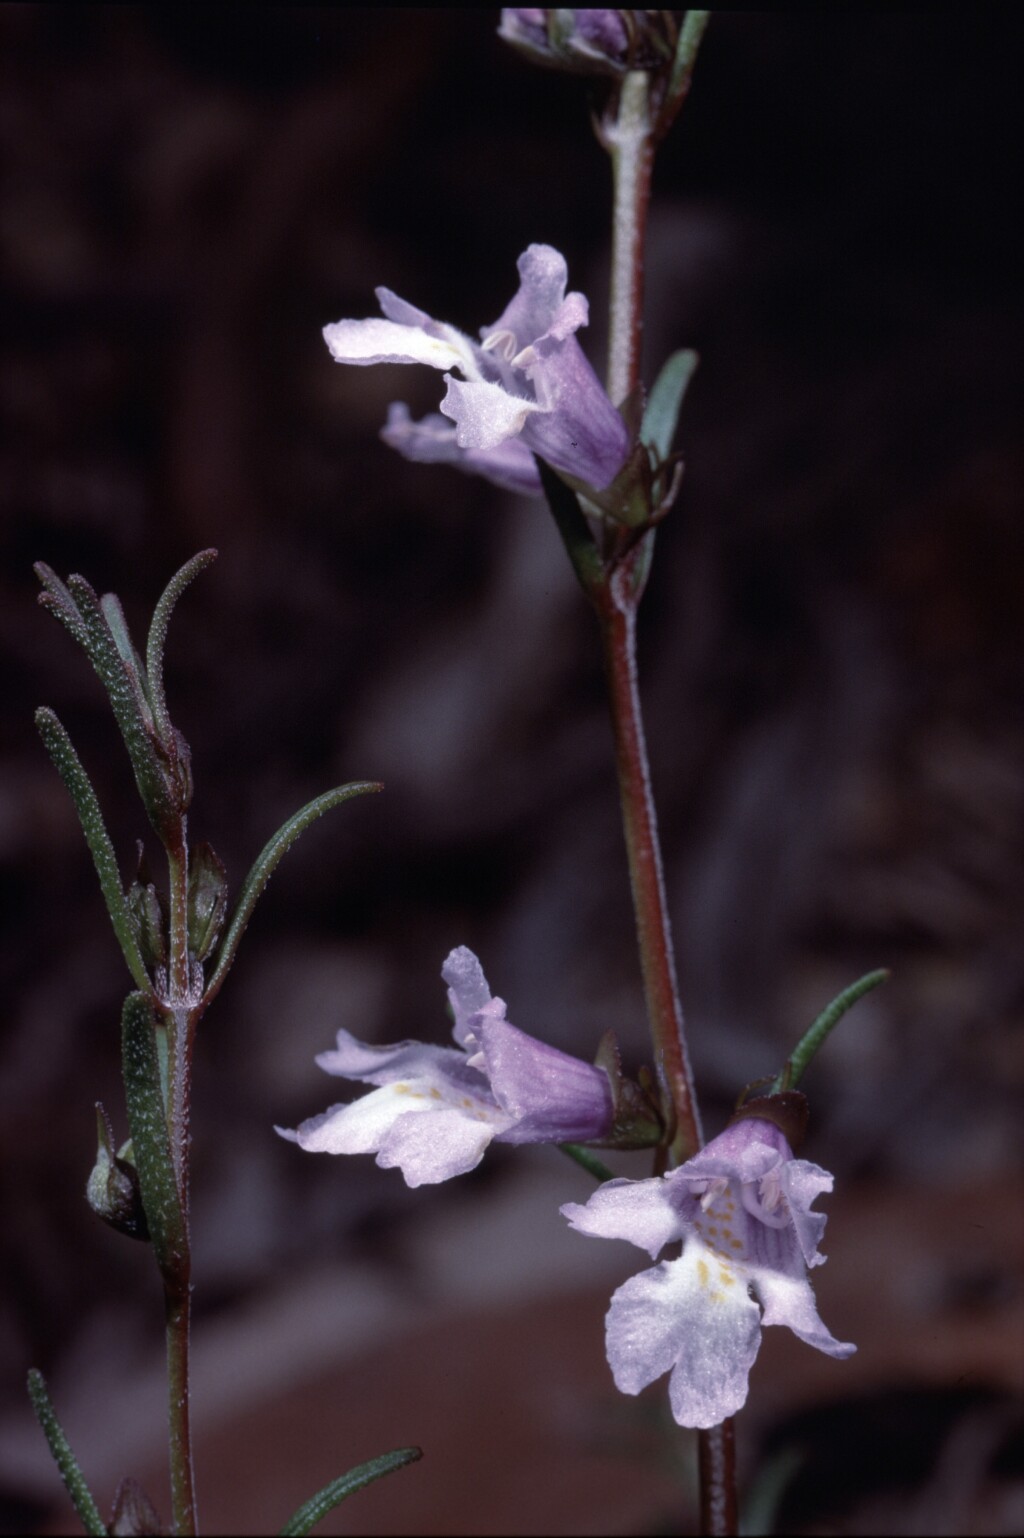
831, 656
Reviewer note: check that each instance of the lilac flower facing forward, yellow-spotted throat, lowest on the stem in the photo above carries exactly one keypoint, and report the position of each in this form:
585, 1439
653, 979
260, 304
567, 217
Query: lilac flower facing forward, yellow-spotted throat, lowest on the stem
742, 1208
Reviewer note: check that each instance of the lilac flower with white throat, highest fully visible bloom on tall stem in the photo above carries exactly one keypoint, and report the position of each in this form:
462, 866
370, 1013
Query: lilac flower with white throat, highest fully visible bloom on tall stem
527, 388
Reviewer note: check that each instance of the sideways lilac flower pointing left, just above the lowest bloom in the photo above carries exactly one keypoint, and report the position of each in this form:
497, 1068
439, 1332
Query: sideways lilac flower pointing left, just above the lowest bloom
436, 1110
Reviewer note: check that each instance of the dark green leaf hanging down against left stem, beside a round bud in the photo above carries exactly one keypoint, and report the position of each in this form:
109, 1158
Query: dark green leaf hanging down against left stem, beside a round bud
151, 1142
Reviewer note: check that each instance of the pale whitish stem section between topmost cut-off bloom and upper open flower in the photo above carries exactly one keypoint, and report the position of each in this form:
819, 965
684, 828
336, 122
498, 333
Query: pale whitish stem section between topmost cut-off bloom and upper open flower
631, 147
